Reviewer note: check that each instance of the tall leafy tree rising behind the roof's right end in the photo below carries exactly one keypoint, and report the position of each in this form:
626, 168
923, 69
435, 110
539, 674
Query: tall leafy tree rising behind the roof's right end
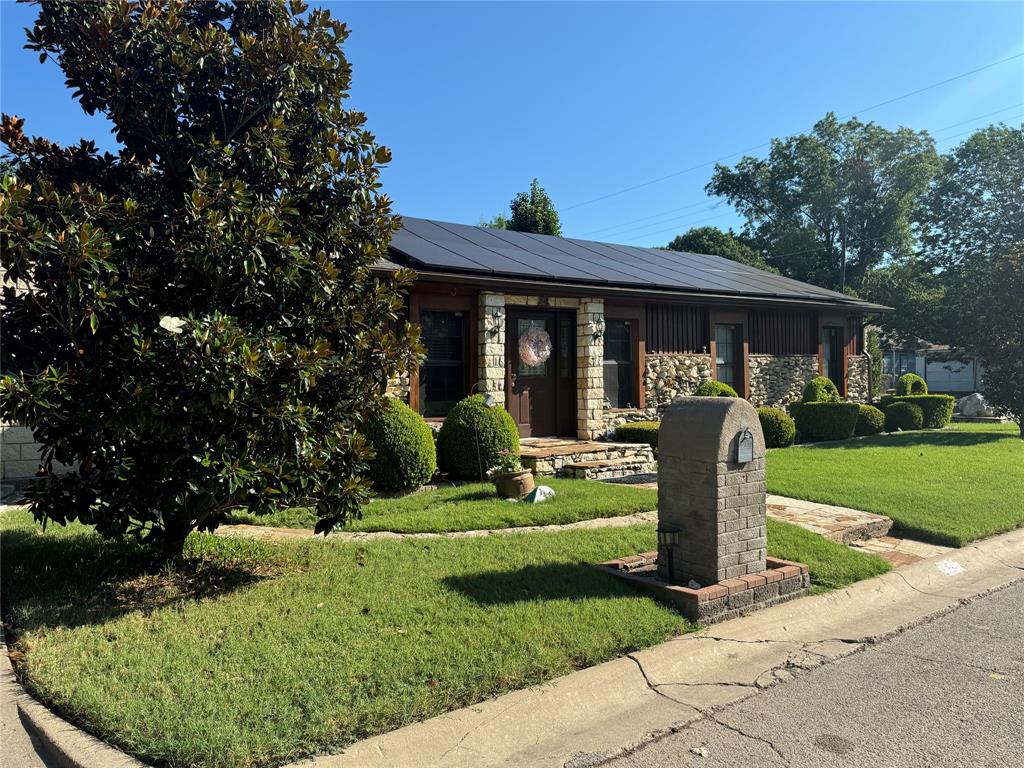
828, 206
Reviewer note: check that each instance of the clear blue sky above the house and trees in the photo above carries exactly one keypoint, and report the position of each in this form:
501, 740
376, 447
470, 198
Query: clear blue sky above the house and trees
478, 99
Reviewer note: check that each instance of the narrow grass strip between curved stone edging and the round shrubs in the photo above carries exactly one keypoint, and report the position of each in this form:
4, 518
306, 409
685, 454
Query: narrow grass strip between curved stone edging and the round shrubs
475, 506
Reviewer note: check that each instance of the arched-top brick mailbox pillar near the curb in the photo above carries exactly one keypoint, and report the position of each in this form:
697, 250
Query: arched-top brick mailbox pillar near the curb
711, 492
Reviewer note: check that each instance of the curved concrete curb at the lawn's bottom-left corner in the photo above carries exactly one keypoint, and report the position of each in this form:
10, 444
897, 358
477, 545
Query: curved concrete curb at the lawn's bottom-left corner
66, 746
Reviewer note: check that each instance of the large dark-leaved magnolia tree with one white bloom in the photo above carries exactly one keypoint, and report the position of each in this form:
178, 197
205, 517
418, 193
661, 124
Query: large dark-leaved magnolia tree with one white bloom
194, 323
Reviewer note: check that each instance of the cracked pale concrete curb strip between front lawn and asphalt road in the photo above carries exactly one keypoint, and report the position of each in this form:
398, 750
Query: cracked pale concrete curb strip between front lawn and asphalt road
592, 716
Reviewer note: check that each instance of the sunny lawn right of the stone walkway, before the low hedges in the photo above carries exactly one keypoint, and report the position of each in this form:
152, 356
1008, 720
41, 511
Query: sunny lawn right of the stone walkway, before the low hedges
951, 487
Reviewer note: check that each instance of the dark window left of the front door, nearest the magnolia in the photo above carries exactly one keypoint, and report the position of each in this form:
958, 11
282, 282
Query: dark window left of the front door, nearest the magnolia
443, 375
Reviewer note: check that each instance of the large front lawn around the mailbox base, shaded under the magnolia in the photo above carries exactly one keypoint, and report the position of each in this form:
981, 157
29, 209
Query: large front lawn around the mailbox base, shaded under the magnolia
255, 654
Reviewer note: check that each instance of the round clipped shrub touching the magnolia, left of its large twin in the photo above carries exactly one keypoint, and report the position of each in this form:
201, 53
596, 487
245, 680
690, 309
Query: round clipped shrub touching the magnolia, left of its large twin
405, 447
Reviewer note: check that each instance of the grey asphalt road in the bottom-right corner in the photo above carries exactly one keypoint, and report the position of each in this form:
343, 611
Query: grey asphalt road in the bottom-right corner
948, 694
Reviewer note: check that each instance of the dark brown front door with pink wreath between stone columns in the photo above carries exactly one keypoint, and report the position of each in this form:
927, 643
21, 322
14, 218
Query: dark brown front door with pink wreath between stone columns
542, 395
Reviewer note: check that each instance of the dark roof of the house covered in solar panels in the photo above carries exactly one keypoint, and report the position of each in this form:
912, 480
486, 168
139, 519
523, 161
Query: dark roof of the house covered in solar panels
442, 247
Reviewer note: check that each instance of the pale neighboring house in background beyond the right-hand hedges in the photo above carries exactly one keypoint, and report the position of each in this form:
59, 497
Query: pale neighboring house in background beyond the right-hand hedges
943, 368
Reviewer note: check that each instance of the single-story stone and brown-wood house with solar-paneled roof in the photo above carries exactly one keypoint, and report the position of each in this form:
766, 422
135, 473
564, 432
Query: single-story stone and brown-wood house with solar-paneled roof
574, 336
